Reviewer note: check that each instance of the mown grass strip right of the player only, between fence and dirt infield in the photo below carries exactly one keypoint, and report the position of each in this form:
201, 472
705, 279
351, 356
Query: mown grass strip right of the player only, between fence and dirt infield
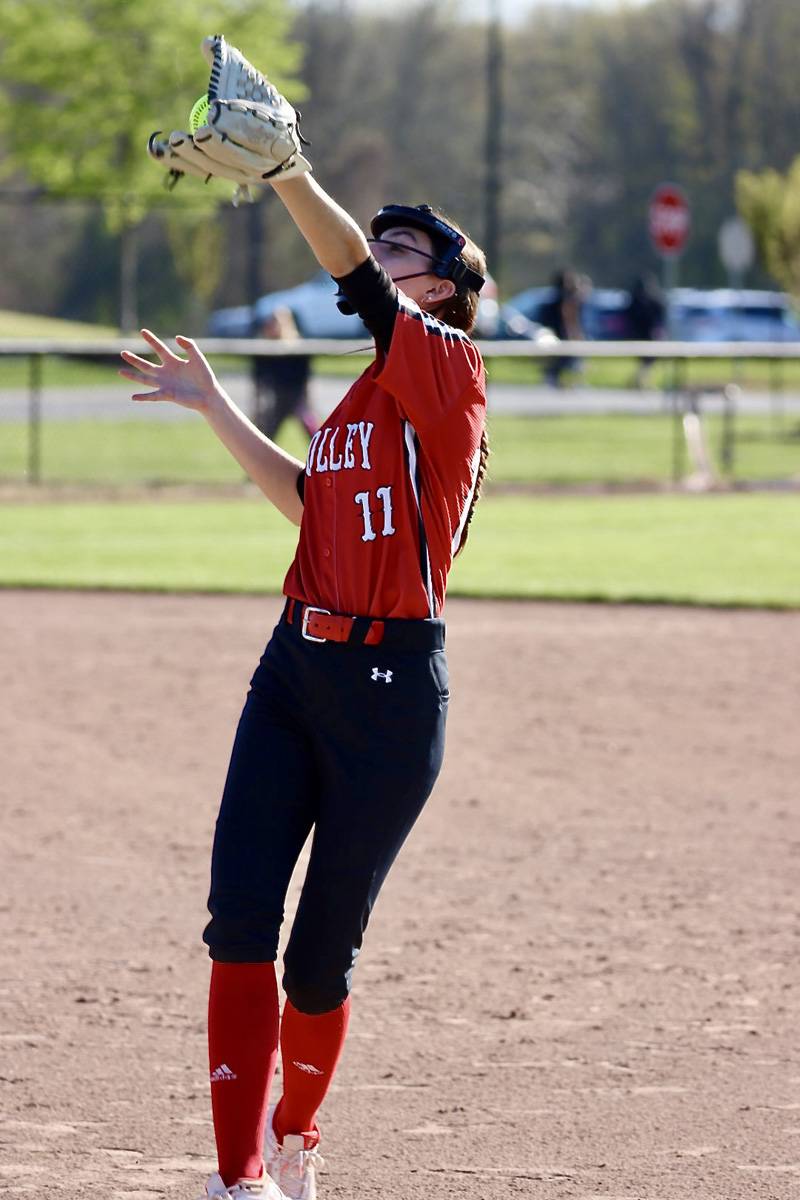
708, 550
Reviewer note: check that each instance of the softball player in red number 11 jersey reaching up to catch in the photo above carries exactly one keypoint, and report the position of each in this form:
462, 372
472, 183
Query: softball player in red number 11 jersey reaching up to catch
342, 733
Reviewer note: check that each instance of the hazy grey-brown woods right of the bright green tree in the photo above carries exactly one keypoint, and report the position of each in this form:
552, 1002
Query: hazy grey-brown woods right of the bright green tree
600, 106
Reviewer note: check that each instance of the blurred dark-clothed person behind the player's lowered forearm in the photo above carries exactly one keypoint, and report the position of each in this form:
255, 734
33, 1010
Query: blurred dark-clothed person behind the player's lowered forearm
281, 383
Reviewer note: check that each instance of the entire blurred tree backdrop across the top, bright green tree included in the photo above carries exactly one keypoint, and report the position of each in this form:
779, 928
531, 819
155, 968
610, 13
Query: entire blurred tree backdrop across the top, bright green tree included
601, 106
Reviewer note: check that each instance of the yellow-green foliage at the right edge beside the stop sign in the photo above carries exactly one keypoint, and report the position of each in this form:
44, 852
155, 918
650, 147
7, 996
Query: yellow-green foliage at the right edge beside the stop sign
771, 205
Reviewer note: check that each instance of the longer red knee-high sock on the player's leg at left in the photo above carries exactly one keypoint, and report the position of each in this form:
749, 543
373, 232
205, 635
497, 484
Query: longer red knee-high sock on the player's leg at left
243, 1053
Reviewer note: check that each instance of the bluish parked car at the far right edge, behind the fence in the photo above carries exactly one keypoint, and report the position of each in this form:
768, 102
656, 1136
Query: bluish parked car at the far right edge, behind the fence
731, 316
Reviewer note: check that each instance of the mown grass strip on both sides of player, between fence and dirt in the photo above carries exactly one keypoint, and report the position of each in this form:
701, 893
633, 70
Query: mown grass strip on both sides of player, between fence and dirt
712, 550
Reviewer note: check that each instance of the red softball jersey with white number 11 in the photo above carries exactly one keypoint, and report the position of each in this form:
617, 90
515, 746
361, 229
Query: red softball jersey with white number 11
392, 475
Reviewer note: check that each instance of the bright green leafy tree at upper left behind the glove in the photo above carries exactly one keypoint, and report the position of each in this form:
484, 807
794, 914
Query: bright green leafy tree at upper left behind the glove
86, 85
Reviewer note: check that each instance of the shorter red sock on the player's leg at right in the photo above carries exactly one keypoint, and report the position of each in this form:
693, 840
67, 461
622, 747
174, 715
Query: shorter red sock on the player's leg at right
311, 1047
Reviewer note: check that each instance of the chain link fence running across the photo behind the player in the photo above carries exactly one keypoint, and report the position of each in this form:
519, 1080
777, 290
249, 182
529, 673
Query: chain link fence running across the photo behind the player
723, 416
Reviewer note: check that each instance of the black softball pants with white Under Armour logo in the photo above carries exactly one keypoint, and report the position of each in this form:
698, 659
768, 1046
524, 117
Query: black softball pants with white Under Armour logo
342, 739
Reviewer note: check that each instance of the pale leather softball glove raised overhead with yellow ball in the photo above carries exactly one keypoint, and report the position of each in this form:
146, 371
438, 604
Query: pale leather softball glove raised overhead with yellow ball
251, 135
